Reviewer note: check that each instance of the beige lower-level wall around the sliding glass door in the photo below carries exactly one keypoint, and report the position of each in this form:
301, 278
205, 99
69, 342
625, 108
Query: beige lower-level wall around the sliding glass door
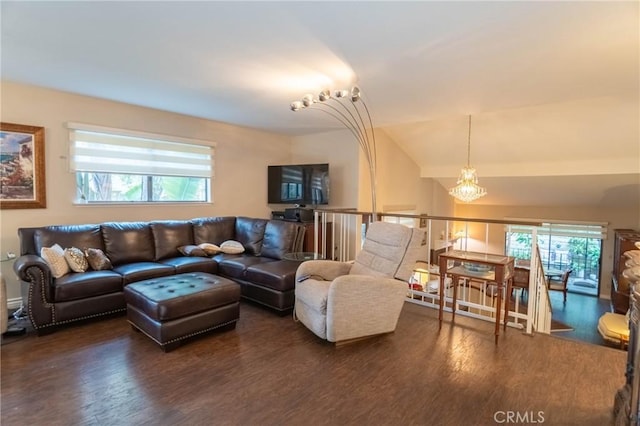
615, 217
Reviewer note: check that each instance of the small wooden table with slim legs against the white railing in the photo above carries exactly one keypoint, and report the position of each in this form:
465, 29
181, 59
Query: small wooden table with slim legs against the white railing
493, 268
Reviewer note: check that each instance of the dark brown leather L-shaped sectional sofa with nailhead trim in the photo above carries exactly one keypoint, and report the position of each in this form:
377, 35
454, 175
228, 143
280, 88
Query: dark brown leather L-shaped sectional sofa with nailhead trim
144, 250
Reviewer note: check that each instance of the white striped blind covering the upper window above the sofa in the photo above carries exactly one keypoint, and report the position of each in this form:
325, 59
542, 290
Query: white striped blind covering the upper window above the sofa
105, 150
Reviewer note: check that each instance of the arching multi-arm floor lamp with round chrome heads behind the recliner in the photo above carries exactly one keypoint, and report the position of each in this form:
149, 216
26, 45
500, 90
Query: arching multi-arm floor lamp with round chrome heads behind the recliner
348, 107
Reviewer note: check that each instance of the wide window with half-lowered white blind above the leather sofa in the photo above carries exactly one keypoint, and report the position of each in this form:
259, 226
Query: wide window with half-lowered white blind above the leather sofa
120, 166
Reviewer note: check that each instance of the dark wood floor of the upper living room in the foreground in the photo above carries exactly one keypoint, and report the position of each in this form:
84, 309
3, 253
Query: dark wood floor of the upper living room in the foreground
272, 371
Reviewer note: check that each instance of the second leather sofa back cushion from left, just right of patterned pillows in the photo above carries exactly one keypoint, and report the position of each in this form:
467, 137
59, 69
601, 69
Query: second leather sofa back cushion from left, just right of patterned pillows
127, 242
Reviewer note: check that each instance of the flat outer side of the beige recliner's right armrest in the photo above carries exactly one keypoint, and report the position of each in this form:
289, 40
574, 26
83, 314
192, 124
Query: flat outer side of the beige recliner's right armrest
354, 297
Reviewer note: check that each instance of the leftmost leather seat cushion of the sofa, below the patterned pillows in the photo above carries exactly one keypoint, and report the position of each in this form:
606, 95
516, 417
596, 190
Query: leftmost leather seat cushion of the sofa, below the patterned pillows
76, 286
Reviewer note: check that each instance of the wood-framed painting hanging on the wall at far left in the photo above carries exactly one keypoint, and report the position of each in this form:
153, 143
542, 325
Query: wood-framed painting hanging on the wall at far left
22, 176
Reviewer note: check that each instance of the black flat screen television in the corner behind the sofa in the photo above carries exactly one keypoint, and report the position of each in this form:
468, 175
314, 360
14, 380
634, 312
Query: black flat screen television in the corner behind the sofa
301, 184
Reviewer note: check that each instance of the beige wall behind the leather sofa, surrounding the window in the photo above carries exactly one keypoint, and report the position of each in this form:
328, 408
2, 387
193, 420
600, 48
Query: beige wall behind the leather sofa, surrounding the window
241, 160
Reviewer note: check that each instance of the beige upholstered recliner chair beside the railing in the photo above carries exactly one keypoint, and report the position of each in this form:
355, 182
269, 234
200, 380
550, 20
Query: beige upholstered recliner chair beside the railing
342, 301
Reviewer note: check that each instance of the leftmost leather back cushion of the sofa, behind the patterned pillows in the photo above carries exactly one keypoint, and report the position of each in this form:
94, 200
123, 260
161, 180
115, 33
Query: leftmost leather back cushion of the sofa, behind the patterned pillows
81, 236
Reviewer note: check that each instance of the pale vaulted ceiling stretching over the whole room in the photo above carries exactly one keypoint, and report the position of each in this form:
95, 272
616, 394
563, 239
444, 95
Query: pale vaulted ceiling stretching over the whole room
553, 86
